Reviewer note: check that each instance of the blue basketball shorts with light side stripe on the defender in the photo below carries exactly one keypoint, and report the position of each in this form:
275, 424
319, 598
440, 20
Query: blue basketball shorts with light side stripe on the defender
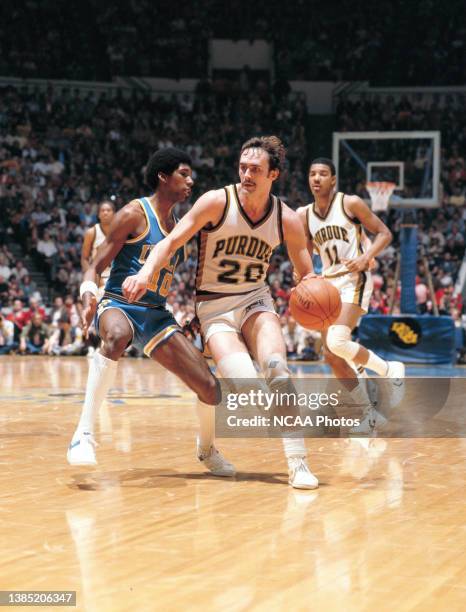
151, 326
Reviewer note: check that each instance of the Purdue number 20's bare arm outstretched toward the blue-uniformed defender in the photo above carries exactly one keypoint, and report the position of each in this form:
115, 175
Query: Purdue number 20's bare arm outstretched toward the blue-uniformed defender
208, 208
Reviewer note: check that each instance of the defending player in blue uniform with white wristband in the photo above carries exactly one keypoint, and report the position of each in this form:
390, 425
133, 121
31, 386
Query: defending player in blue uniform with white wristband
134, 231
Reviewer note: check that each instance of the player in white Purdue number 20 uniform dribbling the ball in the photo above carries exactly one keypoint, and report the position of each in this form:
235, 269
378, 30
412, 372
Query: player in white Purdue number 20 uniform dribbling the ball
238, 227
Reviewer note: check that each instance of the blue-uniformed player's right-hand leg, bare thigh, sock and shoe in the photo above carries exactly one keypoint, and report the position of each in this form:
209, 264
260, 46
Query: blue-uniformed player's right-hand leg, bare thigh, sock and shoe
180, 356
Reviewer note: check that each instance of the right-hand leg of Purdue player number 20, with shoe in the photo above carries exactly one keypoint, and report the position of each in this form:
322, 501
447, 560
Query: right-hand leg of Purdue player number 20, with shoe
264, 339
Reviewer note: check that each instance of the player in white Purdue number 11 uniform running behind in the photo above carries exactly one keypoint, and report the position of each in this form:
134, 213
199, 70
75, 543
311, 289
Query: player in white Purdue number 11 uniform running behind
334, 224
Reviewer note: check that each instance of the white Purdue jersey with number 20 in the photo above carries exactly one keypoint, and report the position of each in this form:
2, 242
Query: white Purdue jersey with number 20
233, 256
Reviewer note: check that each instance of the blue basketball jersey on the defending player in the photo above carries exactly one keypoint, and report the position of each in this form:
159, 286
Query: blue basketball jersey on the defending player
132, 256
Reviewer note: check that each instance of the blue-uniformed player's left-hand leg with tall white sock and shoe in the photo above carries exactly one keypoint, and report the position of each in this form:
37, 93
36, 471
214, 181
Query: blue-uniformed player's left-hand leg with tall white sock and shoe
116, 333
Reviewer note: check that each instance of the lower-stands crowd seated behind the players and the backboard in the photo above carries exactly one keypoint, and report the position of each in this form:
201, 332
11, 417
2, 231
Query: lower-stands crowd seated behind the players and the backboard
62, 152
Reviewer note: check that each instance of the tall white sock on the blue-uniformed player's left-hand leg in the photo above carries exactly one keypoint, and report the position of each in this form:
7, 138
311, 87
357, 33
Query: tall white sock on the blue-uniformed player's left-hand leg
102, 373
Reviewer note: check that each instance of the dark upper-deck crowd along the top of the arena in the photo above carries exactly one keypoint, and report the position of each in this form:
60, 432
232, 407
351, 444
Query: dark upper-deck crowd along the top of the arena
385, 42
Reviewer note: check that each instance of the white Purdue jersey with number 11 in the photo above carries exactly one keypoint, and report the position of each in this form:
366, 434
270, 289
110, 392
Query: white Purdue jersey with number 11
335, 236
